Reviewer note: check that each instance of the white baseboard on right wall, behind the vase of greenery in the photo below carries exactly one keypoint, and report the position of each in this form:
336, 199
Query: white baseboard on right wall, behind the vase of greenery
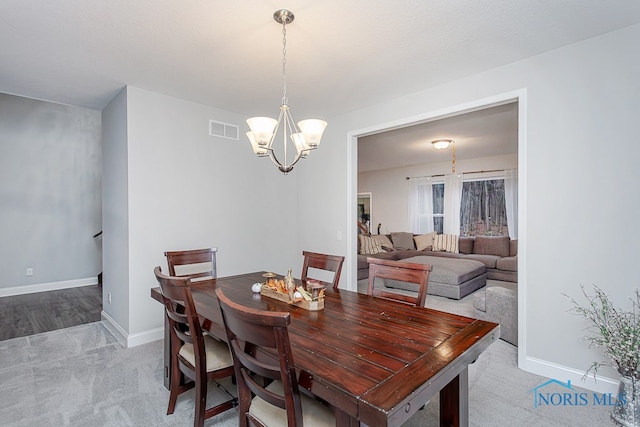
563, 373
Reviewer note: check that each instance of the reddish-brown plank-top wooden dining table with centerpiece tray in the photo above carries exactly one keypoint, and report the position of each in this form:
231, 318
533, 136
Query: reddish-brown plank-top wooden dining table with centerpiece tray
377, 362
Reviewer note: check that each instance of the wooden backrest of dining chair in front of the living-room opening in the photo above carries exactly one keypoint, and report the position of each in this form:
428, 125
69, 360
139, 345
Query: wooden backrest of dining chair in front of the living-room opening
402, 272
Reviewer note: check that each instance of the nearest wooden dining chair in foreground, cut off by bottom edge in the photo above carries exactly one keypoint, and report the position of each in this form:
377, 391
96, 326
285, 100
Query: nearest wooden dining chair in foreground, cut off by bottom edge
261, 350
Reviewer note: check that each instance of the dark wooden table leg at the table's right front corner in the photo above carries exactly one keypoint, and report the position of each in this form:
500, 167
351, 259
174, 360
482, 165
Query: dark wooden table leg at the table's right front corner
454, 401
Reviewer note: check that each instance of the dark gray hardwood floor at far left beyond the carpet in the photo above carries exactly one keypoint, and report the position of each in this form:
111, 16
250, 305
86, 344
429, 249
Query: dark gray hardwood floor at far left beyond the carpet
29, 314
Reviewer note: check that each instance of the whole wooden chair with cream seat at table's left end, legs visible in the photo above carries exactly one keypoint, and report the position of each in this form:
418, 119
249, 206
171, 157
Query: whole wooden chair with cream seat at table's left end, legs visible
201, 358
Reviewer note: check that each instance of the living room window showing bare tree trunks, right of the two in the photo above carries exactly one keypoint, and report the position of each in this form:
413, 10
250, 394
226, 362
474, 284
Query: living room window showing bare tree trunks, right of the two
483, 208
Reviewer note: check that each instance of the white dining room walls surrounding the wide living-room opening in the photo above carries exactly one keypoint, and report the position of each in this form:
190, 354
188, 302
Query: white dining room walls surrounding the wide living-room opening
577, 159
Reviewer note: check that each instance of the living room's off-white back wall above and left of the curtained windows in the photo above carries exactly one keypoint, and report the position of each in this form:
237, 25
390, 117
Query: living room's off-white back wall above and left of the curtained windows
390, 189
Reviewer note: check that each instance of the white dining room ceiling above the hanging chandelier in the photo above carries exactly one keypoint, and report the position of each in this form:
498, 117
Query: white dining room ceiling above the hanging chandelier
341, 55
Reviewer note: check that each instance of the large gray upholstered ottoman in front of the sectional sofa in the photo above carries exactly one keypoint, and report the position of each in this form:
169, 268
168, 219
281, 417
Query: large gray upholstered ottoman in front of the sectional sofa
450, 277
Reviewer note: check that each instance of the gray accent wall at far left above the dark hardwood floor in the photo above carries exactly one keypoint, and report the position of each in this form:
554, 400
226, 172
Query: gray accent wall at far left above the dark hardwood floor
50, 193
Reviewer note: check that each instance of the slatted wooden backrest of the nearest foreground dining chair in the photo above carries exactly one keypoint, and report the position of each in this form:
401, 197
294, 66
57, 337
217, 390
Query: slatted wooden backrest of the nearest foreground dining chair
252, 333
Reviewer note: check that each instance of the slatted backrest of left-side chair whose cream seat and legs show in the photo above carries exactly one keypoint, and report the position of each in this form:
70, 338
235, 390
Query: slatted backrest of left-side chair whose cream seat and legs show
184, 324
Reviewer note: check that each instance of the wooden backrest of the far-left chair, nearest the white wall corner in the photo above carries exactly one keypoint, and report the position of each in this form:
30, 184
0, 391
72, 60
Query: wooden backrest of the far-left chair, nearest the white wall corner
195, 263
